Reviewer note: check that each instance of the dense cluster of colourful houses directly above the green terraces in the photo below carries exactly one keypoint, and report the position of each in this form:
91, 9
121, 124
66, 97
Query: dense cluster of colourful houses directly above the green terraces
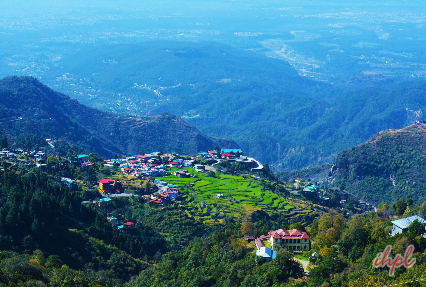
150, 166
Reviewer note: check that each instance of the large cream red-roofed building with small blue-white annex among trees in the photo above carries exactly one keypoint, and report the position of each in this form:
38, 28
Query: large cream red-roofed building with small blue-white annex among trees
293, 239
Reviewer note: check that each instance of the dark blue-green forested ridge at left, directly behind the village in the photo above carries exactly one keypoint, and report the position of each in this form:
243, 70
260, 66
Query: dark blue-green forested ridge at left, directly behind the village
27, 107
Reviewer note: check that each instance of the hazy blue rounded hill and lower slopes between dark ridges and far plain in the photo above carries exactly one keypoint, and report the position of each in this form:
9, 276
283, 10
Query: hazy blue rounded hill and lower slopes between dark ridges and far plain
274, 114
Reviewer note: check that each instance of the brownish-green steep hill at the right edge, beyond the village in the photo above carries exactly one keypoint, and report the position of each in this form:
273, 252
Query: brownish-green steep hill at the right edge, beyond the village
389, 166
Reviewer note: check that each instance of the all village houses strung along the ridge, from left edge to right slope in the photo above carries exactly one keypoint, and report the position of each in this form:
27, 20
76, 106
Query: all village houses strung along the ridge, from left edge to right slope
152, 167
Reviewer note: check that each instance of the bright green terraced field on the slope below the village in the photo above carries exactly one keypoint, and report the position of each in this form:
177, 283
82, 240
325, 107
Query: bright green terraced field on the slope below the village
198, 196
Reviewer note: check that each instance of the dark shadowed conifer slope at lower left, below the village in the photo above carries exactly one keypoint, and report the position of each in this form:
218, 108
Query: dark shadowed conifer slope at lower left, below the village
38, 212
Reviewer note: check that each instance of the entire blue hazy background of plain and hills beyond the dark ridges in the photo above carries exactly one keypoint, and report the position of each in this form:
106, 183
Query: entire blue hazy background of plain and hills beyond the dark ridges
266, 74
